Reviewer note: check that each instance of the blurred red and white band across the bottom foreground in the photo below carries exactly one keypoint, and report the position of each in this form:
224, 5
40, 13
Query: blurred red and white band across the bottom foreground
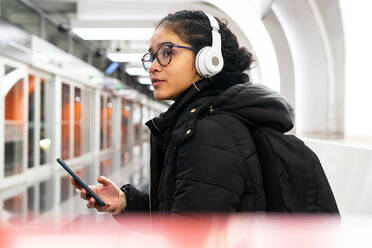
193, 231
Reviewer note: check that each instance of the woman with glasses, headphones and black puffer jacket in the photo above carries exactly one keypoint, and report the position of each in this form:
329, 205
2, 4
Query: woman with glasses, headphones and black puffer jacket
201, 161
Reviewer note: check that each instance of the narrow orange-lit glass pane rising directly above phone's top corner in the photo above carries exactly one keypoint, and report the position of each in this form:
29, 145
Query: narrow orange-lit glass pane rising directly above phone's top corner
65, 137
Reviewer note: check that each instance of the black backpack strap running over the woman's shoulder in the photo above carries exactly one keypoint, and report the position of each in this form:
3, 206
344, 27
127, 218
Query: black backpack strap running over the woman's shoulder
269, 167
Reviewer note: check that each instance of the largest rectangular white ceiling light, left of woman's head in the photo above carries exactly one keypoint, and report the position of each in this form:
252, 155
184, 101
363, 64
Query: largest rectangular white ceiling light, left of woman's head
94, 33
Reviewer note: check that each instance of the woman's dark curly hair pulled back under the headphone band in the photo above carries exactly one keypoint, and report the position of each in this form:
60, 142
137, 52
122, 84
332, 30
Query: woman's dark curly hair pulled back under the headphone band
193, 27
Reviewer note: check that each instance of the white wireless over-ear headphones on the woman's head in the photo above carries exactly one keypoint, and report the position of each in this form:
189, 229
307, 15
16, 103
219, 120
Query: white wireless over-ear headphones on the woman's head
209, 60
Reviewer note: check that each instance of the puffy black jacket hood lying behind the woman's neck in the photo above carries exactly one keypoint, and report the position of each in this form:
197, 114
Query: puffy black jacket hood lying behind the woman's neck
258, 104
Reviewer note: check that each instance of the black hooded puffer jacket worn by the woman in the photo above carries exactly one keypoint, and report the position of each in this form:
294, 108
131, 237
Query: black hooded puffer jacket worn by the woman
204, 161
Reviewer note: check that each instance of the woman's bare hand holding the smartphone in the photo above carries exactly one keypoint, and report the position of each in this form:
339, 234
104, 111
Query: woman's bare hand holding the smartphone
106, 190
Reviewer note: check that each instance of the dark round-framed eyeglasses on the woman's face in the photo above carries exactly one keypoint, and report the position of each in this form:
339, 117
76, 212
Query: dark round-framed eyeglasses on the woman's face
163, 55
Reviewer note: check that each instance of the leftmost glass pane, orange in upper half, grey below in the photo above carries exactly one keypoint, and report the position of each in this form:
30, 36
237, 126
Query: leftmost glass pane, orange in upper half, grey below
14, 123
